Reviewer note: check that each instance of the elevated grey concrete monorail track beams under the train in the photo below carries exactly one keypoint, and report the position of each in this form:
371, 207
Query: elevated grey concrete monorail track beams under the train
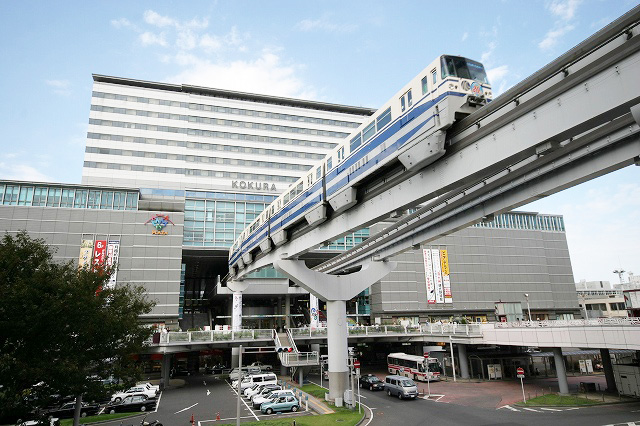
567, 123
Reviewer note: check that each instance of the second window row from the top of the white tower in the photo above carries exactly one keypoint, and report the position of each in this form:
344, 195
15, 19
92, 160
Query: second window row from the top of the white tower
220, 122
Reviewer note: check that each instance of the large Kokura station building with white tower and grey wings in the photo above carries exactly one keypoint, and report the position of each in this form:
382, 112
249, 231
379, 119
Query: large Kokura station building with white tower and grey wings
173, 173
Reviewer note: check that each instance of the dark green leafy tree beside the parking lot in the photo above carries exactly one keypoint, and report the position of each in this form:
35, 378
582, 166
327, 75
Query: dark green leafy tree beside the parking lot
61, 329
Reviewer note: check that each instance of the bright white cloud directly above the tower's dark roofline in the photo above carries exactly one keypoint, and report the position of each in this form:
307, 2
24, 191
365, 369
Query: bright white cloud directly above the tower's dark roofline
266, 74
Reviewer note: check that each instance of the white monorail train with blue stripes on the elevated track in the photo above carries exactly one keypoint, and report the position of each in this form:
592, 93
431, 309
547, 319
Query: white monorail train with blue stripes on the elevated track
409, 128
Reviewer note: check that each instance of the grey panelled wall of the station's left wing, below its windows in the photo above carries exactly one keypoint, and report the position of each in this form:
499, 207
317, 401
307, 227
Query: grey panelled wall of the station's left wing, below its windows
152, 261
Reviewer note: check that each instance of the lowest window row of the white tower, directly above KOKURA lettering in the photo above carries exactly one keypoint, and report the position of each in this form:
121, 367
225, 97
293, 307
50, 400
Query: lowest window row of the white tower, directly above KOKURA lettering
189, 172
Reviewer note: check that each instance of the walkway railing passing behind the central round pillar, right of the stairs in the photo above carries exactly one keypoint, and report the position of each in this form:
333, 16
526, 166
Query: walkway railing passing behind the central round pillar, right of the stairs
395, 330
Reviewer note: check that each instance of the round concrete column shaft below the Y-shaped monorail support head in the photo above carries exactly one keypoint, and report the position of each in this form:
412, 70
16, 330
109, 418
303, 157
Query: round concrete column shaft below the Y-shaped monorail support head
337, 347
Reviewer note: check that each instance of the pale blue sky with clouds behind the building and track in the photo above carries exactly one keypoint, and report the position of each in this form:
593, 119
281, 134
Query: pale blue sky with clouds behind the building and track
348, 52
